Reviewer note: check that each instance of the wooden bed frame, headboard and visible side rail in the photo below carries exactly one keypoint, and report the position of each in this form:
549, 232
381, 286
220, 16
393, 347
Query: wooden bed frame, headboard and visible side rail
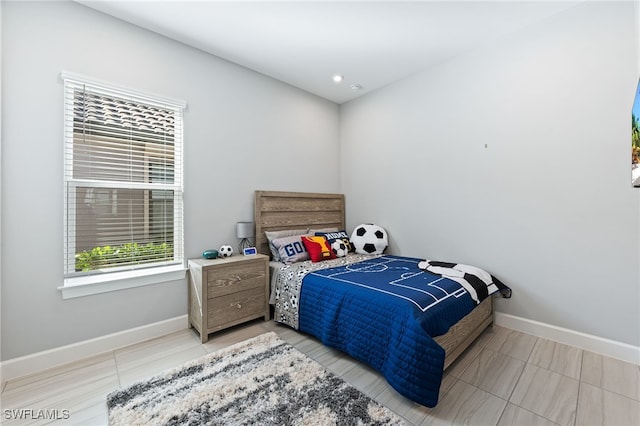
275, 211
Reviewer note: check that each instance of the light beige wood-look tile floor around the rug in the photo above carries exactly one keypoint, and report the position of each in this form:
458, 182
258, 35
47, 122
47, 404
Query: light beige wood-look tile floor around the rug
504, 378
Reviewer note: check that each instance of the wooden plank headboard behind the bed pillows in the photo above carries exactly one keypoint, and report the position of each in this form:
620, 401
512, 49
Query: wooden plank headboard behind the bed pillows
274, 211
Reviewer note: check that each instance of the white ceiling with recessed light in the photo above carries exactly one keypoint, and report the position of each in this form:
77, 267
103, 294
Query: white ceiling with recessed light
305, 43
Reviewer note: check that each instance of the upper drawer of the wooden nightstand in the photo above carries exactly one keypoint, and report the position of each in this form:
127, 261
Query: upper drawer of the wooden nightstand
232, 279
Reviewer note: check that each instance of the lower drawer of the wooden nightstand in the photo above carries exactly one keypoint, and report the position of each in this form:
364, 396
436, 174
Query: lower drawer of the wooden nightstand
235, 307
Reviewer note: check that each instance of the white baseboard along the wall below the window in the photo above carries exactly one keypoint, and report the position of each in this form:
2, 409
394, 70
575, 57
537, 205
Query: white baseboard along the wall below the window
50, 358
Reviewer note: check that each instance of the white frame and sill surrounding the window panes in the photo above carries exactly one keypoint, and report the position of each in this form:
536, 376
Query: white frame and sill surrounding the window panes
111, 279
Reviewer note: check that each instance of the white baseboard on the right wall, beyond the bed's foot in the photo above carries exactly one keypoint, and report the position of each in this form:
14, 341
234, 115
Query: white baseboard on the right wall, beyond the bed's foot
612, 348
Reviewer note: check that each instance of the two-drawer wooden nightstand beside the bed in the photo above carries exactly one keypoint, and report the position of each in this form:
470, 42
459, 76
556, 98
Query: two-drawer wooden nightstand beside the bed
226, 292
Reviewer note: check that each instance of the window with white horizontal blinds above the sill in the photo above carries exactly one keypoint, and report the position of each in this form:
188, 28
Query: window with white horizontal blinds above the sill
123, 184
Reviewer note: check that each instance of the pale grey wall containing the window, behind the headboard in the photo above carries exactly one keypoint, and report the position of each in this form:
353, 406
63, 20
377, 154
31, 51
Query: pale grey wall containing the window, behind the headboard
243, 131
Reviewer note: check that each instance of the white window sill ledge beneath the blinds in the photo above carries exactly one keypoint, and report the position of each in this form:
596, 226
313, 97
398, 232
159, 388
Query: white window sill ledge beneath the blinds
86, 286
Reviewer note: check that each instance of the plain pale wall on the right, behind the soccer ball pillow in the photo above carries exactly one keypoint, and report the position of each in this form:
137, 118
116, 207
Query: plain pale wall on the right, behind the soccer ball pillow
515, 158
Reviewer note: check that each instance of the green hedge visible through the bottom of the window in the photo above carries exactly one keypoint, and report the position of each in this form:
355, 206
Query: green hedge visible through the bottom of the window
130, 253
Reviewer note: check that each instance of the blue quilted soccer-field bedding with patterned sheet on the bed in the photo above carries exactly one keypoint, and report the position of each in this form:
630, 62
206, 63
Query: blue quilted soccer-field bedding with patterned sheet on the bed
383, 310
